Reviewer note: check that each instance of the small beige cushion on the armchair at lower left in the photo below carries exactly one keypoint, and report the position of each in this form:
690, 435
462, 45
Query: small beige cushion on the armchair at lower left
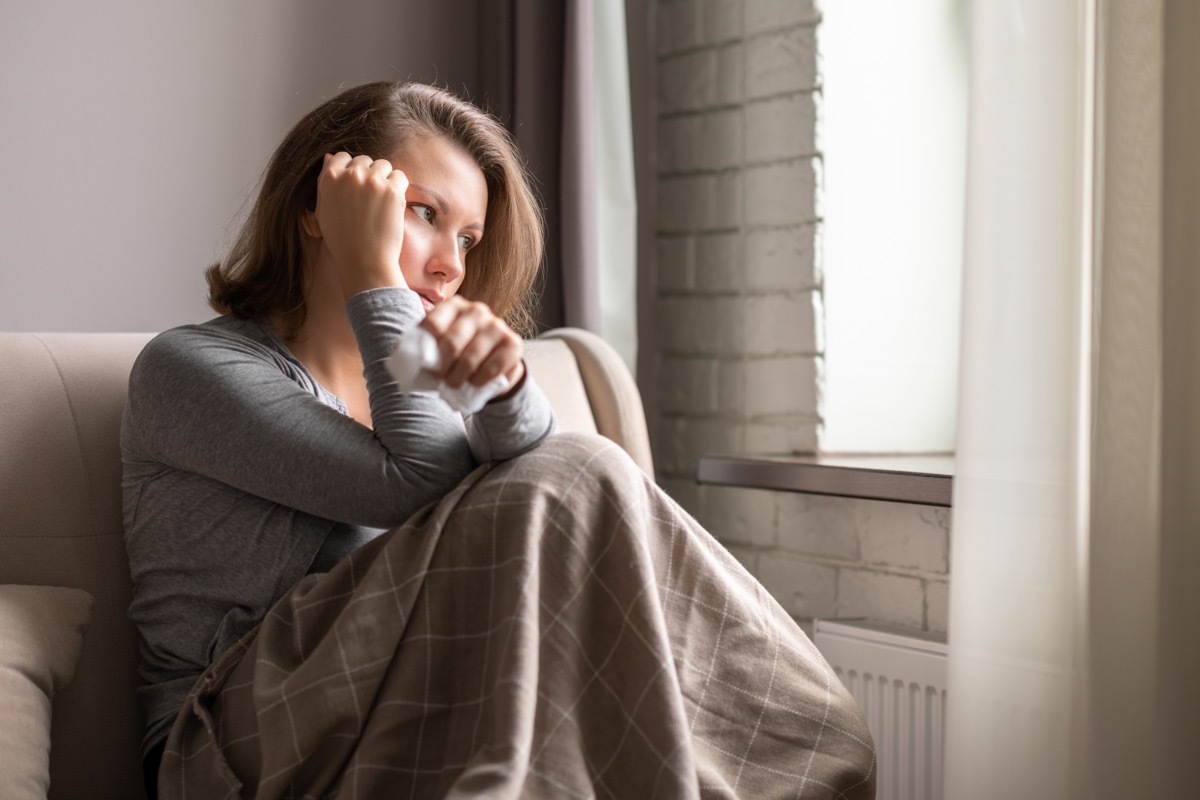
41, 635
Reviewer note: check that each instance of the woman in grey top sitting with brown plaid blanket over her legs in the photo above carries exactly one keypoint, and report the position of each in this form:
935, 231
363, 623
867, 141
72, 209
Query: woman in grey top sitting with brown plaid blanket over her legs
543, 623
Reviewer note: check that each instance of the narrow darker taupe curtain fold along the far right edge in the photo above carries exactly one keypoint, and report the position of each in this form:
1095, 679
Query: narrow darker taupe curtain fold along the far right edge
1178, 702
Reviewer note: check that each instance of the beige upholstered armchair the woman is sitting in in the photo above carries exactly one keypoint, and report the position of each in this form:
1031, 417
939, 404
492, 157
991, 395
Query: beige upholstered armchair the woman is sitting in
62, 396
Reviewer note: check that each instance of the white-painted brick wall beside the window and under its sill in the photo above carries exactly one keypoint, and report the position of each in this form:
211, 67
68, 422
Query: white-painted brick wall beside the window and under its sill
739, 296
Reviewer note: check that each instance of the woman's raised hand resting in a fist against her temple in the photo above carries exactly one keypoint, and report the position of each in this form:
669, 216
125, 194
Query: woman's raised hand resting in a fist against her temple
361, 218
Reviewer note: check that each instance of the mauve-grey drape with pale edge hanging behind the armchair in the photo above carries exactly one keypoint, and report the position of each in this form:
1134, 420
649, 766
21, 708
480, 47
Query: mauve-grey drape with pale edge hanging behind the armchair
557, 74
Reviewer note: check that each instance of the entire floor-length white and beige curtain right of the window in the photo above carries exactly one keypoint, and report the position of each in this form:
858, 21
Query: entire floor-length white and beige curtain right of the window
1075, 653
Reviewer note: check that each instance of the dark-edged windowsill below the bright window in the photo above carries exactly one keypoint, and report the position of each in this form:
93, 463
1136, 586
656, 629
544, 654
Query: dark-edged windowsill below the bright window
925, 479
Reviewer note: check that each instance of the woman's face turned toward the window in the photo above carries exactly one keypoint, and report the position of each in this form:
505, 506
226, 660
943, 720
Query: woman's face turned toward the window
447, 202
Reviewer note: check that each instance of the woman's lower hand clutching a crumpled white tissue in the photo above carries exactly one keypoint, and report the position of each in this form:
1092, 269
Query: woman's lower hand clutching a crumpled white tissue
475, 344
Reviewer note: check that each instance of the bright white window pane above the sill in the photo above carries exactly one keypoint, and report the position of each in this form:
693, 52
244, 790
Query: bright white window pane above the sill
893, 141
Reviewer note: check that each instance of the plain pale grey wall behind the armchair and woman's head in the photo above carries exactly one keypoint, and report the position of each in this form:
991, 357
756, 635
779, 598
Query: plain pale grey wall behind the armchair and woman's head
135, 131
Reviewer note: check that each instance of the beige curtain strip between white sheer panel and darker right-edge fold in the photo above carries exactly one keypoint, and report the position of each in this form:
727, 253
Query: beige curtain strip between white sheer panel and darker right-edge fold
1125, 507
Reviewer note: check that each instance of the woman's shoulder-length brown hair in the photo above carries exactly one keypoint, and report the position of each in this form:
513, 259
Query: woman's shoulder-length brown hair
263, 274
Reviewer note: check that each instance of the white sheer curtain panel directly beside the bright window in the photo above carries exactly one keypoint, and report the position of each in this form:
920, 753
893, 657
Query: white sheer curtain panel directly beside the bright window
1021, 485
